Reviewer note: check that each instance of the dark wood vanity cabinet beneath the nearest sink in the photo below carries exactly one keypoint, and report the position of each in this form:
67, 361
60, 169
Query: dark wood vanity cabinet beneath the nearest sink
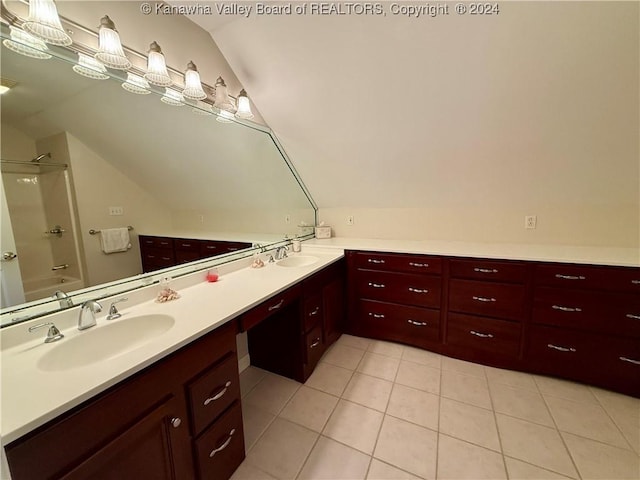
146, 426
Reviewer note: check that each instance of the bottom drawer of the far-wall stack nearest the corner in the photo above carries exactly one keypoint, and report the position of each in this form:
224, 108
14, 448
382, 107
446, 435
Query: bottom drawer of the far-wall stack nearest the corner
399, 323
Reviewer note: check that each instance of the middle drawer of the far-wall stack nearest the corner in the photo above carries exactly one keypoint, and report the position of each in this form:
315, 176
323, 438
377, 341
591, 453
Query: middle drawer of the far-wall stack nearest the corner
420, 290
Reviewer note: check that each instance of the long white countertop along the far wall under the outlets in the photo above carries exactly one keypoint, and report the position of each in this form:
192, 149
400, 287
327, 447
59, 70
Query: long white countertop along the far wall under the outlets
615, 256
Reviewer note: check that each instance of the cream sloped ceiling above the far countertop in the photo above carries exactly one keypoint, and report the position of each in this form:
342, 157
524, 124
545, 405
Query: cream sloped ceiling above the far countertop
391, 111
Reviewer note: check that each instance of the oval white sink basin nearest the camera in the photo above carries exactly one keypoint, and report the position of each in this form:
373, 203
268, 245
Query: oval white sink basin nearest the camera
104, 342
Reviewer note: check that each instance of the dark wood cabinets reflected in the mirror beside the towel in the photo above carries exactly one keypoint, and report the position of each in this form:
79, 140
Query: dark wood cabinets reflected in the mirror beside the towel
163, 252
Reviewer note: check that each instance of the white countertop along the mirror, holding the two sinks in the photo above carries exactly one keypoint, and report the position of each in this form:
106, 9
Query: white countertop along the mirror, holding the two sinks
31, 397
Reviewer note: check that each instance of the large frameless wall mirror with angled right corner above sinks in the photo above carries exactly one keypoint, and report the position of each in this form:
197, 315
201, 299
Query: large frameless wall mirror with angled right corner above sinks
80, 154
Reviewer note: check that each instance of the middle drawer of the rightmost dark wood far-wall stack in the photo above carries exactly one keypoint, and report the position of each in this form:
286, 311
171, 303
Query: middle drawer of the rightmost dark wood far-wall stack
587, 310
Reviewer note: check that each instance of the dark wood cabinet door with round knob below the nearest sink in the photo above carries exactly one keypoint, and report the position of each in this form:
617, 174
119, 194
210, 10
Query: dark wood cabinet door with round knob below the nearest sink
157, 446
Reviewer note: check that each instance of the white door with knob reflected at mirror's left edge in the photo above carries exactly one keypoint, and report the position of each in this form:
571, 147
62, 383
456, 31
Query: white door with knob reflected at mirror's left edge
11, 291
